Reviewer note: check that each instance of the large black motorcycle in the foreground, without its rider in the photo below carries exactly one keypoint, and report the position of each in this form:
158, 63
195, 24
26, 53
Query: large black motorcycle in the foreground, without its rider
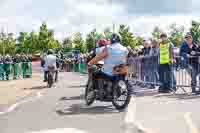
115, 89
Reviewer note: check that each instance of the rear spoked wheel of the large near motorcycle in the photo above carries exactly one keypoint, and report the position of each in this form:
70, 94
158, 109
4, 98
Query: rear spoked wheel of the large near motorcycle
121, 95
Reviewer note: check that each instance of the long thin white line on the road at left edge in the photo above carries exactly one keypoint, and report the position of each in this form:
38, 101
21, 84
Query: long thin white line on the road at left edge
14, 106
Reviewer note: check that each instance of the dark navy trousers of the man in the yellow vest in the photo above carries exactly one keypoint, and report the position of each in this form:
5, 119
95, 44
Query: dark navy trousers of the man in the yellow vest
164, 76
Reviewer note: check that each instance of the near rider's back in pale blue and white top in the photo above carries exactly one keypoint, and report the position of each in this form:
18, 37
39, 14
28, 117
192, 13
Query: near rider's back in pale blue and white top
117, 55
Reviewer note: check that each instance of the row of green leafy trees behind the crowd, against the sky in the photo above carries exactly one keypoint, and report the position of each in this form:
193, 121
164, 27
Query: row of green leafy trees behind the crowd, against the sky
37, 42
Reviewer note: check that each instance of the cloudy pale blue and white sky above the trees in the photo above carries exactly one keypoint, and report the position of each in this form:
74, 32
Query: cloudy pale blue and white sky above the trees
68, 16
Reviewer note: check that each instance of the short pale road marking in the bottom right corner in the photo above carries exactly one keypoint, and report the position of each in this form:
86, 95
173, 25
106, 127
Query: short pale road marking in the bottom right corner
192, 126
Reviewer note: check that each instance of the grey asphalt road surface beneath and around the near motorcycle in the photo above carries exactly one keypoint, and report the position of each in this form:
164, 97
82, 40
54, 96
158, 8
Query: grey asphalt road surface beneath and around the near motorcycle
62, 110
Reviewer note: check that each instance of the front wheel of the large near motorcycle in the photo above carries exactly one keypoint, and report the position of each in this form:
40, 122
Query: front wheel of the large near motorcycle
90, 94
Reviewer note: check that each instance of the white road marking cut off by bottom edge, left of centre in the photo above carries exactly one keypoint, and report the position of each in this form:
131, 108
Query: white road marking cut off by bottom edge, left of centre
61, 130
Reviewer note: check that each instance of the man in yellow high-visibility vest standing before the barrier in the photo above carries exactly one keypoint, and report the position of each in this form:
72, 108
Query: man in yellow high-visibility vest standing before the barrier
166, 59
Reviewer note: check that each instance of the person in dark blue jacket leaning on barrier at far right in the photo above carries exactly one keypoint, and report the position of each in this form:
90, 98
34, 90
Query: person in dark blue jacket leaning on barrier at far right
189, 53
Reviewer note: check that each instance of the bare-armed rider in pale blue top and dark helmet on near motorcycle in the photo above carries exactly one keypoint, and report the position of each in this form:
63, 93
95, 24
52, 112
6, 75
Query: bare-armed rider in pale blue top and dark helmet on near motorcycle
113, 55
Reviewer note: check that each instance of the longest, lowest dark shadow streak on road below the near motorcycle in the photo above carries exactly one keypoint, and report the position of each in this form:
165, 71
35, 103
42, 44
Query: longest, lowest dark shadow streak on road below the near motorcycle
77, 109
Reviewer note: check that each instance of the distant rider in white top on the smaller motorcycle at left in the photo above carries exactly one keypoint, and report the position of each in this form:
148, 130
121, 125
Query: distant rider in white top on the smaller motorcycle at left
50, 60
